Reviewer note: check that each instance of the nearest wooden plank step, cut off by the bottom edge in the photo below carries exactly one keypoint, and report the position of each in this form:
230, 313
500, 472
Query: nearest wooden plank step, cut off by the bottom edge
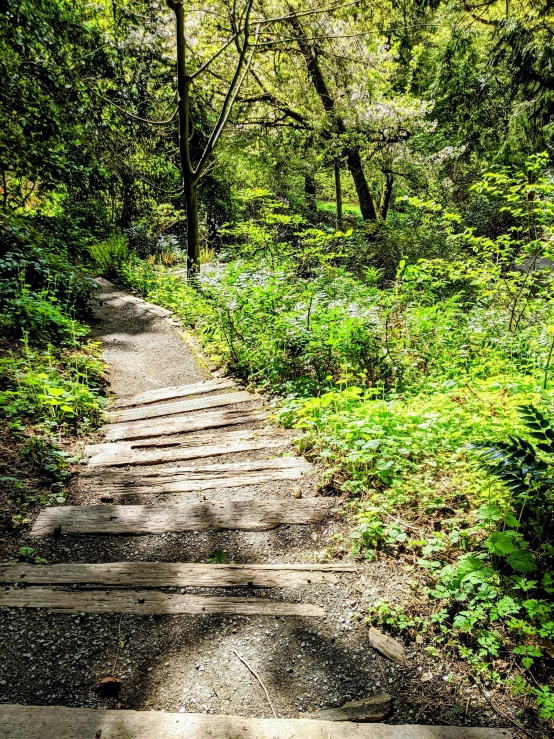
56, 722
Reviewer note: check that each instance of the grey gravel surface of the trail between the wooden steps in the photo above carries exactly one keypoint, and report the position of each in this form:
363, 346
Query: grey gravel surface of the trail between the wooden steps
188, 663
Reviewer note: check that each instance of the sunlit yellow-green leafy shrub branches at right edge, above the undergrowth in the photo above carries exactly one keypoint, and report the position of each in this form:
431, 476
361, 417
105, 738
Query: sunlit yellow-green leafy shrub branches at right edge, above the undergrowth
502, 270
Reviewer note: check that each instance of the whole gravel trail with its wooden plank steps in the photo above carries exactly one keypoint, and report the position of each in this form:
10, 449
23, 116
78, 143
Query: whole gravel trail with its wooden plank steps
239, 600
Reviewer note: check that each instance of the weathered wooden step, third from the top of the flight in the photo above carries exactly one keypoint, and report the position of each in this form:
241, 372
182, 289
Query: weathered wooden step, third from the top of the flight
186, 424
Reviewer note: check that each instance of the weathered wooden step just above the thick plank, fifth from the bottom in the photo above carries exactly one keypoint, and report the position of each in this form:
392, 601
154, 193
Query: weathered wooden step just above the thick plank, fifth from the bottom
150, 480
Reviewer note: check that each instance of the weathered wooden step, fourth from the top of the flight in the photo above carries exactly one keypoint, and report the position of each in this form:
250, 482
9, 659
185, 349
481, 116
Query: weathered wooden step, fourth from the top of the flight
122, 453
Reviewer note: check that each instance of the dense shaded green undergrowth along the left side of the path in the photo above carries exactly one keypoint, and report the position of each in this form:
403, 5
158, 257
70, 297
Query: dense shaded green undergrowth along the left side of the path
50, 370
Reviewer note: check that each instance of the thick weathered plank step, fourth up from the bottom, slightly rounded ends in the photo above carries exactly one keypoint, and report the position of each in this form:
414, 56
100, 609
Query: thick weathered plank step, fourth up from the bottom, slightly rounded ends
243, 515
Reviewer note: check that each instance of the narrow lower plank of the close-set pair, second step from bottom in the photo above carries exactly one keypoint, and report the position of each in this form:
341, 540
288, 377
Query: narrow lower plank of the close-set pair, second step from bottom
147, 602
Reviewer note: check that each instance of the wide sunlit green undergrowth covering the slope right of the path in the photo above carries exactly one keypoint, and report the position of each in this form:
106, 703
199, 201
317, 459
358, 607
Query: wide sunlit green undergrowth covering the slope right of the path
427, 396
